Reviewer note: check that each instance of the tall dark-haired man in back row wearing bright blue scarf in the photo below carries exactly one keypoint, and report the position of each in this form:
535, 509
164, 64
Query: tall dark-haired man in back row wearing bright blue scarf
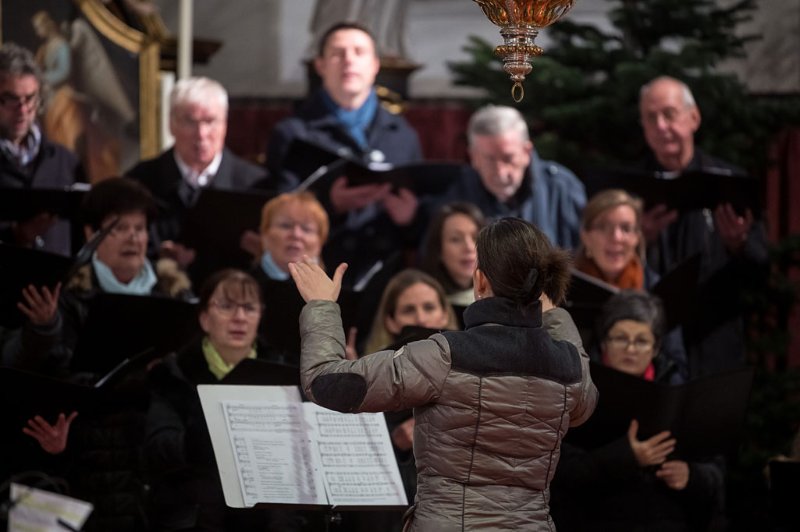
368, 222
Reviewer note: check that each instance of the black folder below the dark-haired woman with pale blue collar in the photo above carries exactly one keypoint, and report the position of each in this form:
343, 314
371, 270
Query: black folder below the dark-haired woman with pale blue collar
120, 326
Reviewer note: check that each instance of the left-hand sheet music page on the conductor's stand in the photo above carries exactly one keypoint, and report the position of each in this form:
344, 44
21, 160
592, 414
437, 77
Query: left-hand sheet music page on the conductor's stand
272, 451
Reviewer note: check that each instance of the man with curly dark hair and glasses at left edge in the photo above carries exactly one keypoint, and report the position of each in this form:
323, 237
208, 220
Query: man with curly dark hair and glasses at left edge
27, 158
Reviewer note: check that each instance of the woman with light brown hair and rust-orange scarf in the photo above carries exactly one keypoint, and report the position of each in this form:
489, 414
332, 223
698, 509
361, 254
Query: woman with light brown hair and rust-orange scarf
612, 250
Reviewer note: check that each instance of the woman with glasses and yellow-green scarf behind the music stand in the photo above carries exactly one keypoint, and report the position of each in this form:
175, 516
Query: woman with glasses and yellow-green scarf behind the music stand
186, 493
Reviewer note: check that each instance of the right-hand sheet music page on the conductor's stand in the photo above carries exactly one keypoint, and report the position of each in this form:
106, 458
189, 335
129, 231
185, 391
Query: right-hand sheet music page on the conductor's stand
358, 464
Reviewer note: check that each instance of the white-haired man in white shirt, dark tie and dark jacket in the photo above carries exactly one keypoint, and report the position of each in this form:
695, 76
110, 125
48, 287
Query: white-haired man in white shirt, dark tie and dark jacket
198, 119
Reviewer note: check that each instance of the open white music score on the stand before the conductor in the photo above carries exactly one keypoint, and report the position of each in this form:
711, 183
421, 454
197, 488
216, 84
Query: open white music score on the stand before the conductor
273, 449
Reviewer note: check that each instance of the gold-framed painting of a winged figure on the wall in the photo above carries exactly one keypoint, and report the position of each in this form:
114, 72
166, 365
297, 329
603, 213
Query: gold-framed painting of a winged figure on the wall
101, 80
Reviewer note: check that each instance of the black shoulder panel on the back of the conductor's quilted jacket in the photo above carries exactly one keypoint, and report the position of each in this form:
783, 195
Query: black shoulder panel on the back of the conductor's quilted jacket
496, 350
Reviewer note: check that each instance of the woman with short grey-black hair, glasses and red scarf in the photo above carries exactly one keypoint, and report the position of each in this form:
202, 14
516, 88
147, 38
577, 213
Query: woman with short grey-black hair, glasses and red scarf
633, 484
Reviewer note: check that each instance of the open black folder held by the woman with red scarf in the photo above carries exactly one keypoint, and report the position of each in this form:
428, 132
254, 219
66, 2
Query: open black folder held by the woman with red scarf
705, 416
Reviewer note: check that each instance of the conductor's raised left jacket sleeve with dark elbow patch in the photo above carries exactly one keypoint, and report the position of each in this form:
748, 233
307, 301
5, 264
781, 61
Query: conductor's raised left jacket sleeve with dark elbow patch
411, 376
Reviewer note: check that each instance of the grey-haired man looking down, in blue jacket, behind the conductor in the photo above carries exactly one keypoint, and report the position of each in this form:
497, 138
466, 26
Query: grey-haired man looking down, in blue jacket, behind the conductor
508, 178
